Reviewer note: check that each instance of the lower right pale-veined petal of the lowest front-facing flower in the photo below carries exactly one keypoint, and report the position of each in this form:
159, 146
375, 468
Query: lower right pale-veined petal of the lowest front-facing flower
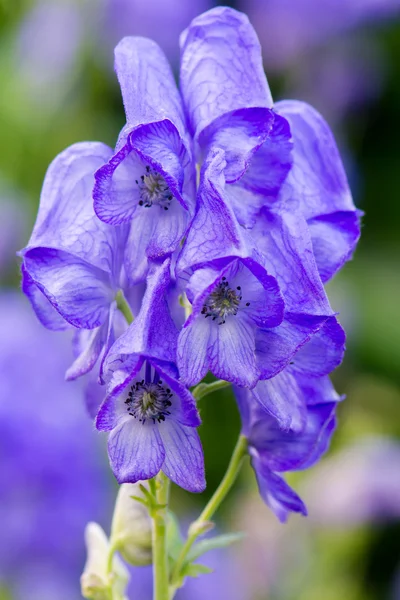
184, 461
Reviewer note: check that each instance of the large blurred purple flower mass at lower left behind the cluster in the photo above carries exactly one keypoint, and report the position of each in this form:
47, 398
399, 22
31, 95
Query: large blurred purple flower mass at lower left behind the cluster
51, 479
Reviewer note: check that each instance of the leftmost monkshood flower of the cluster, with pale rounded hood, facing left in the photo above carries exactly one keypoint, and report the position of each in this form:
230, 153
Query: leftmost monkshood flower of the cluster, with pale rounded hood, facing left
72, 265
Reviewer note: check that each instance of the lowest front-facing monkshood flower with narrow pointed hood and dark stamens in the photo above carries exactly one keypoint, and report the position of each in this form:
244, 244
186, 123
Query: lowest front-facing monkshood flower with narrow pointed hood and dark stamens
151, 416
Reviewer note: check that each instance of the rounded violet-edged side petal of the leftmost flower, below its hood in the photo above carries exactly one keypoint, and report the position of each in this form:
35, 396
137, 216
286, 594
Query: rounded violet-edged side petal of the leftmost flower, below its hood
80, 292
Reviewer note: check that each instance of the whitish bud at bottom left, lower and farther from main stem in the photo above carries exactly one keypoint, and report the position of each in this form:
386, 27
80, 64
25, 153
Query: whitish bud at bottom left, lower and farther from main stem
97, 583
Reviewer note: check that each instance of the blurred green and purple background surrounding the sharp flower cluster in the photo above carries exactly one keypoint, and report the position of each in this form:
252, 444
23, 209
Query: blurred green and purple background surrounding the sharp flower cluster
58, 87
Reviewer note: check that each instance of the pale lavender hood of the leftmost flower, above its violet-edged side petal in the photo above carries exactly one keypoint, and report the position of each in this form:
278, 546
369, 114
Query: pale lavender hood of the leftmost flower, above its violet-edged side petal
66, 220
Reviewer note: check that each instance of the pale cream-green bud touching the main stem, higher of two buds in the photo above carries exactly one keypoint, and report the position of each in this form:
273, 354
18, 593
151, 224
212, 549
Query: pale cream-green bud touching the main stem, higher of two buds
131, 530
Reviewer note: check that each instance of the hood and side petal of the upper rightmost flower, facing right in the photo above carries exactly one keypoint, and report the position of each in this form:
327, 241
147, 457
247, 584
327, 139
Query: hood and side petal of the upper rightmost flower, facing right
317, 186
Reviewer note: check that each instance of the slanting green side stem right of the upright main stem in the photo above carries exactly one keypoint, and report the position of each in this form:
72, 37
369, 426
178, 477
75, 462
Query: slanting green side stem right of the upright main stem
199, 526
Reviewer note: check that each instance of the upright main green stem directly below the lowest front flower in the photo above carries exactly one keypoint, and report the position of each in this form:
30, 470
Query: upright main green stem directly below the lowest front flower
160, 556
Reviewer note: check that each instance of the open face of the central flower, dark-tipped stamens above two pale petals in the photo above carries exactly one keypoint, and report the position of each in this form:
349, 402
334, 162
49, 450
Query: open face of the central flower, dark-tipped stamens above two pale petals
231, 299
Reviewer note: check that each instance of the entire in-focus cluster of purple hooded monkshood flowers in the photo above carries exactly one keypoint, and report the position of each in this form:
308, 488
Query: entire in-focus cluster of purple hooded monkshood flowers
215, 221
